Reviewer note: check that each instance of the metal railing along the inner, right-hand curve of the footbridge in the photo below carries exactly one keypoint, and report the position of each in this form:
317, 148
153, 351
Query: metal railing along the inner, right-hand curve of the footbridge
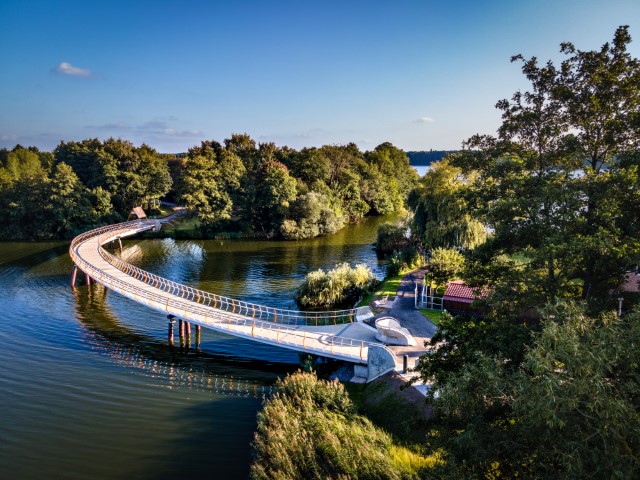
230, 305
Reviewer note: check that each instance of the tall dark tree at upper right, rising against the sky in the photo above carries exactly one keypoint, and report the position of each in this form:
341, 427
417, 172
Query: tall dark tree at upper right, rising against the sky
555, 185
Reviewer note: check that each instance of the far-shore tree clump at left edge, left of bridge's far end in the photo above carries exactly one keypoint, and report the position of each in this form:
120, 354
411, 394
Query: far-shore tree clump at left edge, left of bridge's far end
56, 195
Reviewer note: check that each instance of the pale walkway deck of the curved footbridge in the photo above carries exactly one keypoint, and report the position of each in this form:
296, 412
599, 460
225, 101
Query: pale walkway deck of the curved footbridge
146, 288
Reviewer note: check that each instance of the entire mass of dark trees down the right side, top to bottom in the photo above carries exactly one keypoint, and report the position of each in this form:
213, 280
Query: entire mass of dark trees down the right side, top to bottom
545, 384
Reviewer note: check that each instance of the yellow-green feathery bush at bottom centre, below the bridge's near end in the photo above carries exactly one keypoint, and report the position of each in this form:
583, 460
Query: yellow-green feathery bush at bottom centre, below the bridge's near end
309, 429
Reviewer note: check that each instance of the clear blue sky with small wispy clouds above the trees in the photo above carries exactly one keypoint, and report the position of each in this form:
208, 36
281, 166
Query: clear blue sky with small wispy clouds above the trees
419, 74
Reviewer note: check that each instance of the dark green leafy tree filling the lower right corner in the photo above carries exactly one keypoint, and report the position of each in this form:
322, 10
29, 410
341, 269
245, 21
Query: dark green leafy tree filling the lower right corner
568, 410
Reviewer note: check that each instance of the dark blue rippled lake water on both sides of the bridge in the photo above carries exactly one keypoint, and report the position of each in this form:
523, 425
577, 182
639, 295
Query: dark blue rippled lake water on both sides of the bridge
90, 388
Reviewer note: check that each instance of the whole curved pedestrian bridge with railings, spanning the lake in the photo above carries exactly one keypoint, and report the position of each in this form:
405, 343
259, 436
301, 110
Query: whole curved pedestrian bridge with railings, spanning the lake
317, 333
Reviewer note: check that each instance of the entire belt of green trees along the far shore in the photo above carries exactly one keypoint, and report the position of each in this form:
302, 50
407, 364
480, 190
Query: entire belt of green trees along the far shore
256, 190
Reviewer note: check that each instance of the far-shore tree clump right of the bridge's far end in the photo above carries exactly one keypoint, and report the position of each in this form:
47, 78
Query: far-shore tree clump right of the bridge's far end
274, 191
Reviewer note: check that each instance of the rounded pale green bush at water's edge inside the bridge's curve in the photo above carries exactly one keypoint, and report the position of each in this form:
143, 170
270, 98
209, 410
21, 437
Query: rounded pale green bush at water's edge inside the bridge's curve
340, 287
